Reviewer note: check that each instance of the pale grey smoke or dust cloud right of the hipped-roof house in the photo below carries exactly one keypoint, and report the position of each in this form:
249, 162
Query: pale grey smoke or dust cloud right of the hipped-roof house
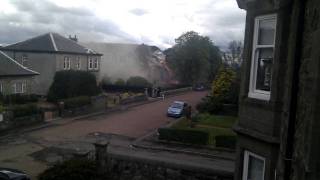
126, 60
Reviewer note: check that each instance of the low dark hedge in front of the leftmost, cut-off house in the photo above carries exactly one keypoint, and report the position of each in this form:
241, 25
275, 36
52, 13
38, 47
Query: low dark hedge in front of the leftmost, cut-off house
24, 110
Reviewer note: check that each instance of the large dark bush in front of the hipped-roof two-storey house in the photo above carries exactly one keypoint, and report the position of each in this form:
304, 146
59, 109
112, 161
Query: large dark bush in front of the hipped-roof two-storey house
68, 84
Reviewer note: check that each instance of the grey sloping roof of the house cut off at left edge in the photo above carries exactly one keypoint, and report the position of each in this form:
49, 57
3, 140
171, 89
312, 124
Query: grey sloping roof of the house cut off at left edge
10, 67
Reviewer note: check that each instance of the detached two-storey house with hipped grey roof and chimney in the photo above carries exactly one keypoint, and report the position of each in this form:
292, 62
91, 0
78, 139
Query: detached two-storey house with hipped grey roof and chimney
49, 53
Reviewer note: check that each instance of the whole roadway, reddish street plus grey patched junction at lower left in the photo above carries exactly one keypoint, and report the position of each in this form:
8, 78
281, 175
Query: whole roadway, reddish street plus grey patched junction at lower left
134, 122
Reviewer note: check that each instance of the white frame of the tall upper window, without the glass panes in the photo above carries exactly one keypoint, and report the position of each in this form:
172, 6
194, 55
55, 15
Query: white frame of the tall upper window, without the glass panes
253, 92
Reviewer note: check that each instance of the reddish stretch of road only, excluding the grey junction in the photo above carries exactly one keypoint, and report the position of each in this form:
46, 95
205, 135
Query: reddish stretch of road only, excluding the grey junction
134, 122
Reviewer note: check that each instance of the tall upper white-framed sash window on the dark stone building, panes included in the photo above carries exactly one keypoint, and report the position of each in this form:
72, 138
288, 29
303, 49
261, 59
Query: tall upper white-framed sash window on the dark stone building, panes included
262, 57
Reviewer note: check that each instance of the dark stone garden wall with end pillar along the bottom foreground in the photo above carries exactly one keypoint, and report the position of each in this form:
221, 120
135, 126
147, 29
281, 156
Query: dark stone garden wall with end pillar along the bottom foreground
130, 167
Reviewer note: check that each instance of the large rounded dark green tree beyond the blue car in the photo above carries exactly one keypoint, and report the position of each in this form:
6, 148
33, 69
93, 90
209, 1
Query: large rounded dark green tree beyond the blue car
194, 58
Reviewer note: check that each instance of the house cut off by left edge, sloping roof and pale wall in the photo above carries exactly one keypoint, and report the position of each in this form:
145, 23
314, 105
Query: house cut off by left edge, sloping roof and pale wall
14, 78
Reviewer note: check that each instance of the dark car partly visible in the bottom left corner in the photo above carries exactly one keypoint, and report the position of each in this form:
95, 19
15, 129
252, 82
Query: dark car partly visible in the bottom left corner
12, 174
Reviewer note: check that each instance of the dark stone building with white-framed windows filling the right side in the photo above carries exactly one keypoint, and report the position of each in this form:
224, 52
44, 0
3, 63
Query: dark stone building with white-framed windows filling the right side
279, 103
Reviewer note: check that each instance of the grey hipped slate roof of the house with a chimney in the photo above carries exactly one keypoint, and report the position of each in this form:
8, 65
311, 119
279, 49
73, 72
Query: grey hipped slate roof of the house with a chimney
52, 43
